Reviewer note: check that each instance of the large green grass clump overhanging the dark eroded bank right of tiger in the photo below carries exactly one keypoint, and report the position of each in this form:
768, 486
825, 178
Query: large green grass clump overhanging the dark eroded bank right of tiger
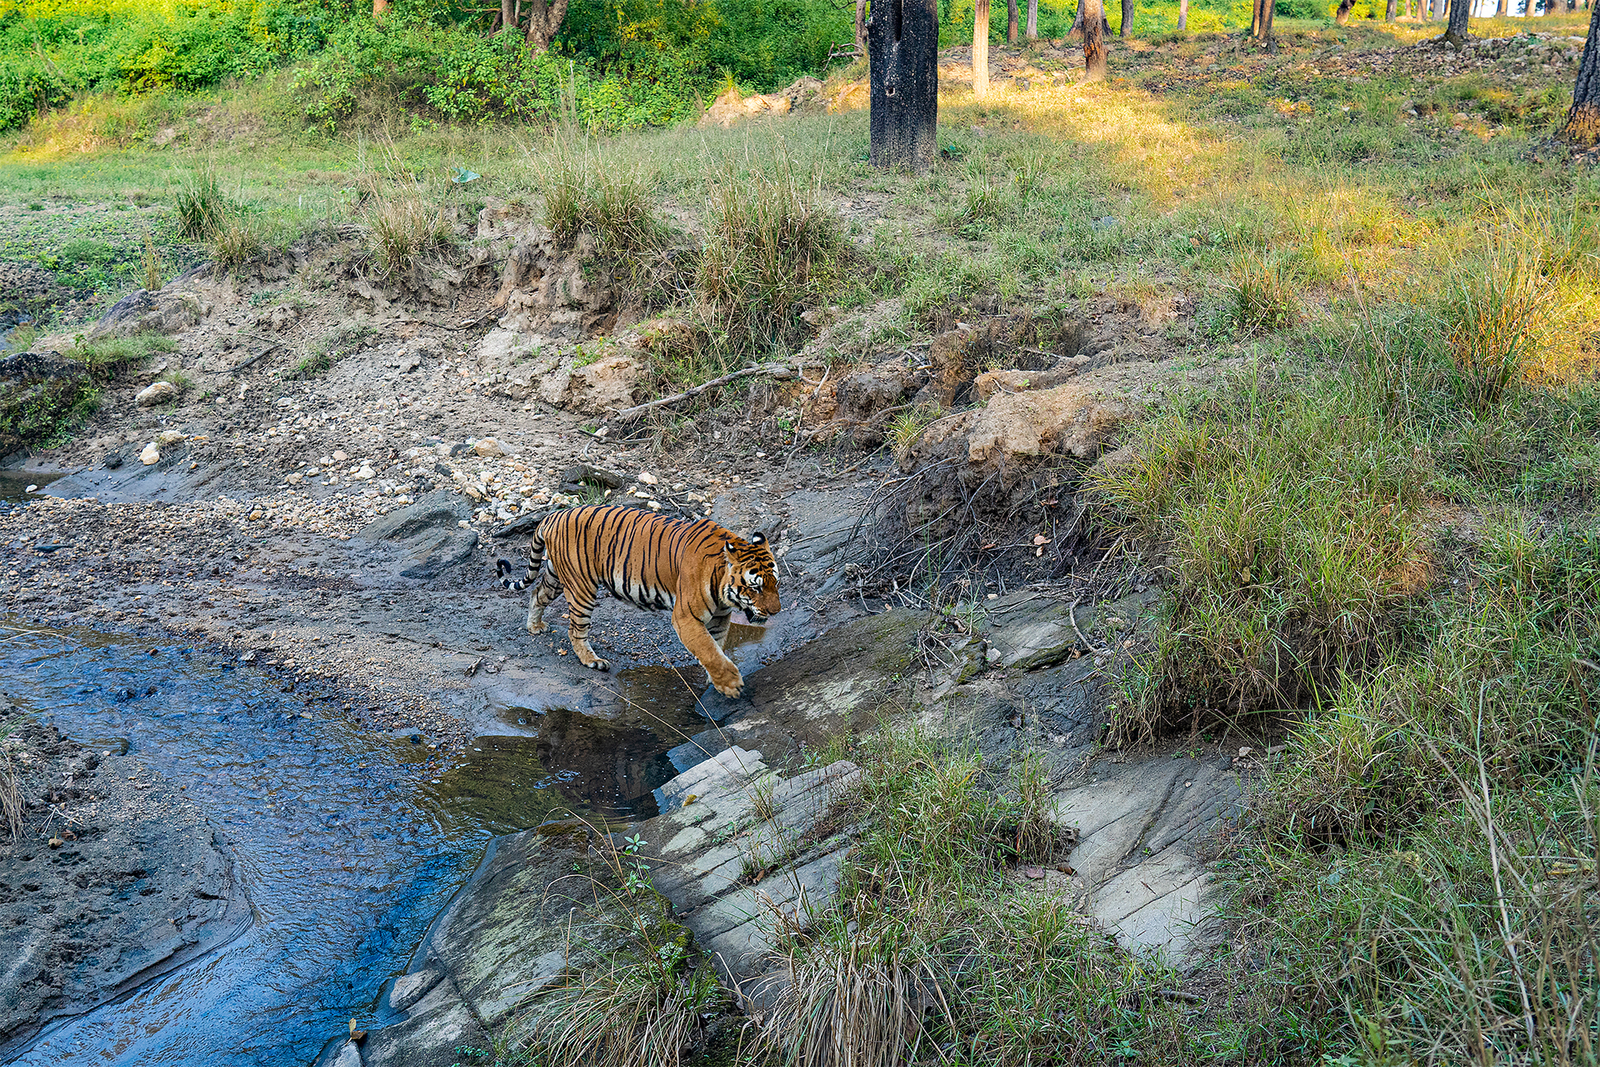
1290, 526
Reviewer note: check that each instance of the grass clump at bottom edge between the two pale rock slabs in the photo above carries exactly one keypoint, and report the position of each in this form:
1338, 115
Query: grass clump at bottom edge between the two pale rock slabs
932, 951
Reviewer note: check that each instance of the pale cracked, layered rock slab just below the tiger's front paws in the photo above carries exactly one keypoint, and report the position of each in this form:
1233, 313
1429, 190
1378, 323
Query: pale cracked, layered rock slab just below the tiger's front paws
740, 852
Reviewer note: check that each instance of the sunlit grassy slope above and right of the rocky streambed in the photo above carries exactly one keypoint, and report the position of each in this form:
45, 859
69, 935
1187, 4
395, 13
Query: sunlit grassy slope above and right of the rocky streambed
1367, 527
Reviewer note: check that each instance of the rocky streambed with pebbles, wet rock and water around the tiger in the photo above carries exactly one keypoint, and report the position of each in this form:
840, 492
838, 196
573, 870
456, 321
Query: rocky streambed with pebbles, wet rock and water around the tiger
297, 746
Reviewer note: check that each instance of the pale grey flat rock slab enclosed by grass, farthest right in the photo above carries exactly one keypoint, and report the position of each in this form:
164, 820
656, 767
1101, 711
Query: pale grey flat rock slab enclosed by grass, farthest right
1140, 825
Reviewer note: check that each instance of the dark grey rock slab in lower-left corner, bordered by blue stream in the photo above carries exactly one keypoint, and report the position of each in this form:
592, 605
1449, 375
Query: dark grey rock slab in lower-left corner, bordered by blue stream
143, 887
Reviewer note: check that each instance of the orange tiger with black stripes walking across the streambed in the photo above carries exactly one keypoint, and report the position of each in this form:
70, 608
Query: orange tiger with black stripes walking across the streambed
655, 562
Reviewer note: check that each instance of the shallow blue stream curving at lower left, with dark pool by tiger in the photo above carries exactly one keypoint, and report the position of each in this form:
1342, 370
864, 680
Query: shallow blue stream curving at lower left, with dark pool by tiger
350, 842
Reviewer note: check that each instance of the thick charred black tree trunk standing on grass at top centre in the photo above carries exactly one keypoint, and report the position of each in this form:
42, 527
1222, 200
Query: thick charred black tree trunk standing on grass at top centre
903, 49
